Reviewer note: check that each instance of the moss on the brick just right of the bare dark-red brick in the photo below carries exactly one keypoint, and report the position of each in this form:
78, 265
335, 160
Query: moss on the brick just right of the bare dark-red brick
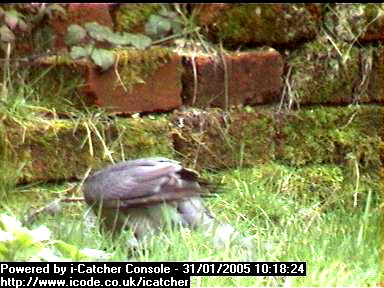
321, 75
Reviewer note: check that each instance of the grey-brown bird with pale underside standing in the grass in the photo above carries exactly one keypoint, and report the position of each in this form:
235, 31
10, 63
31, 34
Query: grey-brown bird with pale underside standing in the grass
145, 194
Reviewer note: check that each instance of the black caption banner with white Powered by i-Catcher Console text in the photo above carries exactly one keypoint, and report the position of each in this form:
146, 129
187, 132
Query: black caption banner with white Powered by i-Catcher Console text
134, 274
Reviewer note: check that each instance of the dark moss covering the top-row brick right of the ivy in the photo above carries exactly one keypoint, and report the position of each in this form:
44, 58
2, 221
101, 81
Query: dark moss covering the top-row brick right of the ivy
264, 24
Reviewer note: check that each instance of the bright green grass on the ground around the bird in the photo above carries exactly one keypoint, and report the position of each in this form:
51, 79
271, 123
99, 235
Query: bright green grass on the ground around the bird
339, 242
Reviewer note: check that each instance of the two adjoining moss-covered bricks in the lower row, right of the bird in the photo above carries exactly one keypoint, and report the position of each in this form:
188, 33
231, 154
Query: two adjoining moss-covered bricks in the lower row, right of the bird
345, 136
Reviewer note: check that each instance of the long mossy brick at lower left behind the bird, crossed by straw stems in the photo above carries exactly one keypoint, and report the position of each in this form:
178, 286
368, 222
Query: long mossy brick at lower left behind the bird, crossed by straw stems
58, 149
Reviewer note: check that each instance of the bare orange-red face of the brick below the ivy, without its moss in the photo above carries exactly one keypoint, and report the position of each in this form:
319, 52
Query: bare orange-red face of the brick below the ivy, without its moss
160, 92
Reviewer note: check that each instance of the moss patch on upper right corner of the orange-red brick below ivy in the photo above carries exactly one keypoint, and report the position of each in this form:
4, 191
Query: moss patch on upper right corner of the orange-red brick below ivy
136, 65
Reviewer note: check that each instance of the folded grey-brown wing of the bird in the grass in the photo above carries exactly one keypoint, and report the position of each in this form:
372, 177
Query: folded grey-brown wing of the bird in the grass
141, 184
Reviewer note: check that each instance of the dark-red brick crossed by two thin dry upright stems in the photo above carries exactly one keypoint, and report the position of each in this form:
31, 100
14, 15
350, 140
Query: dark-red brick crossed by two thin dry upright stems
247, 78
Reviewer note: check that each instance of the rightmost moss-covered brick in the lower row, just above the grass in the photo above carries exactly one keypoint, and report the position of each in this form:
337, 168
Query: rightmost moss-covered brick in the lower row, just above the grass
339, 135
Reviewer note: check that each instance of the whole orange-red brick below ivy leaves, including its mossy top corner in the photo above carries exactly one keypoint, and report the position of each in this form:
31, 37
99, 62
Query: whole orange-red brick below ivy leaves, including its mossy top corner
143, 81
